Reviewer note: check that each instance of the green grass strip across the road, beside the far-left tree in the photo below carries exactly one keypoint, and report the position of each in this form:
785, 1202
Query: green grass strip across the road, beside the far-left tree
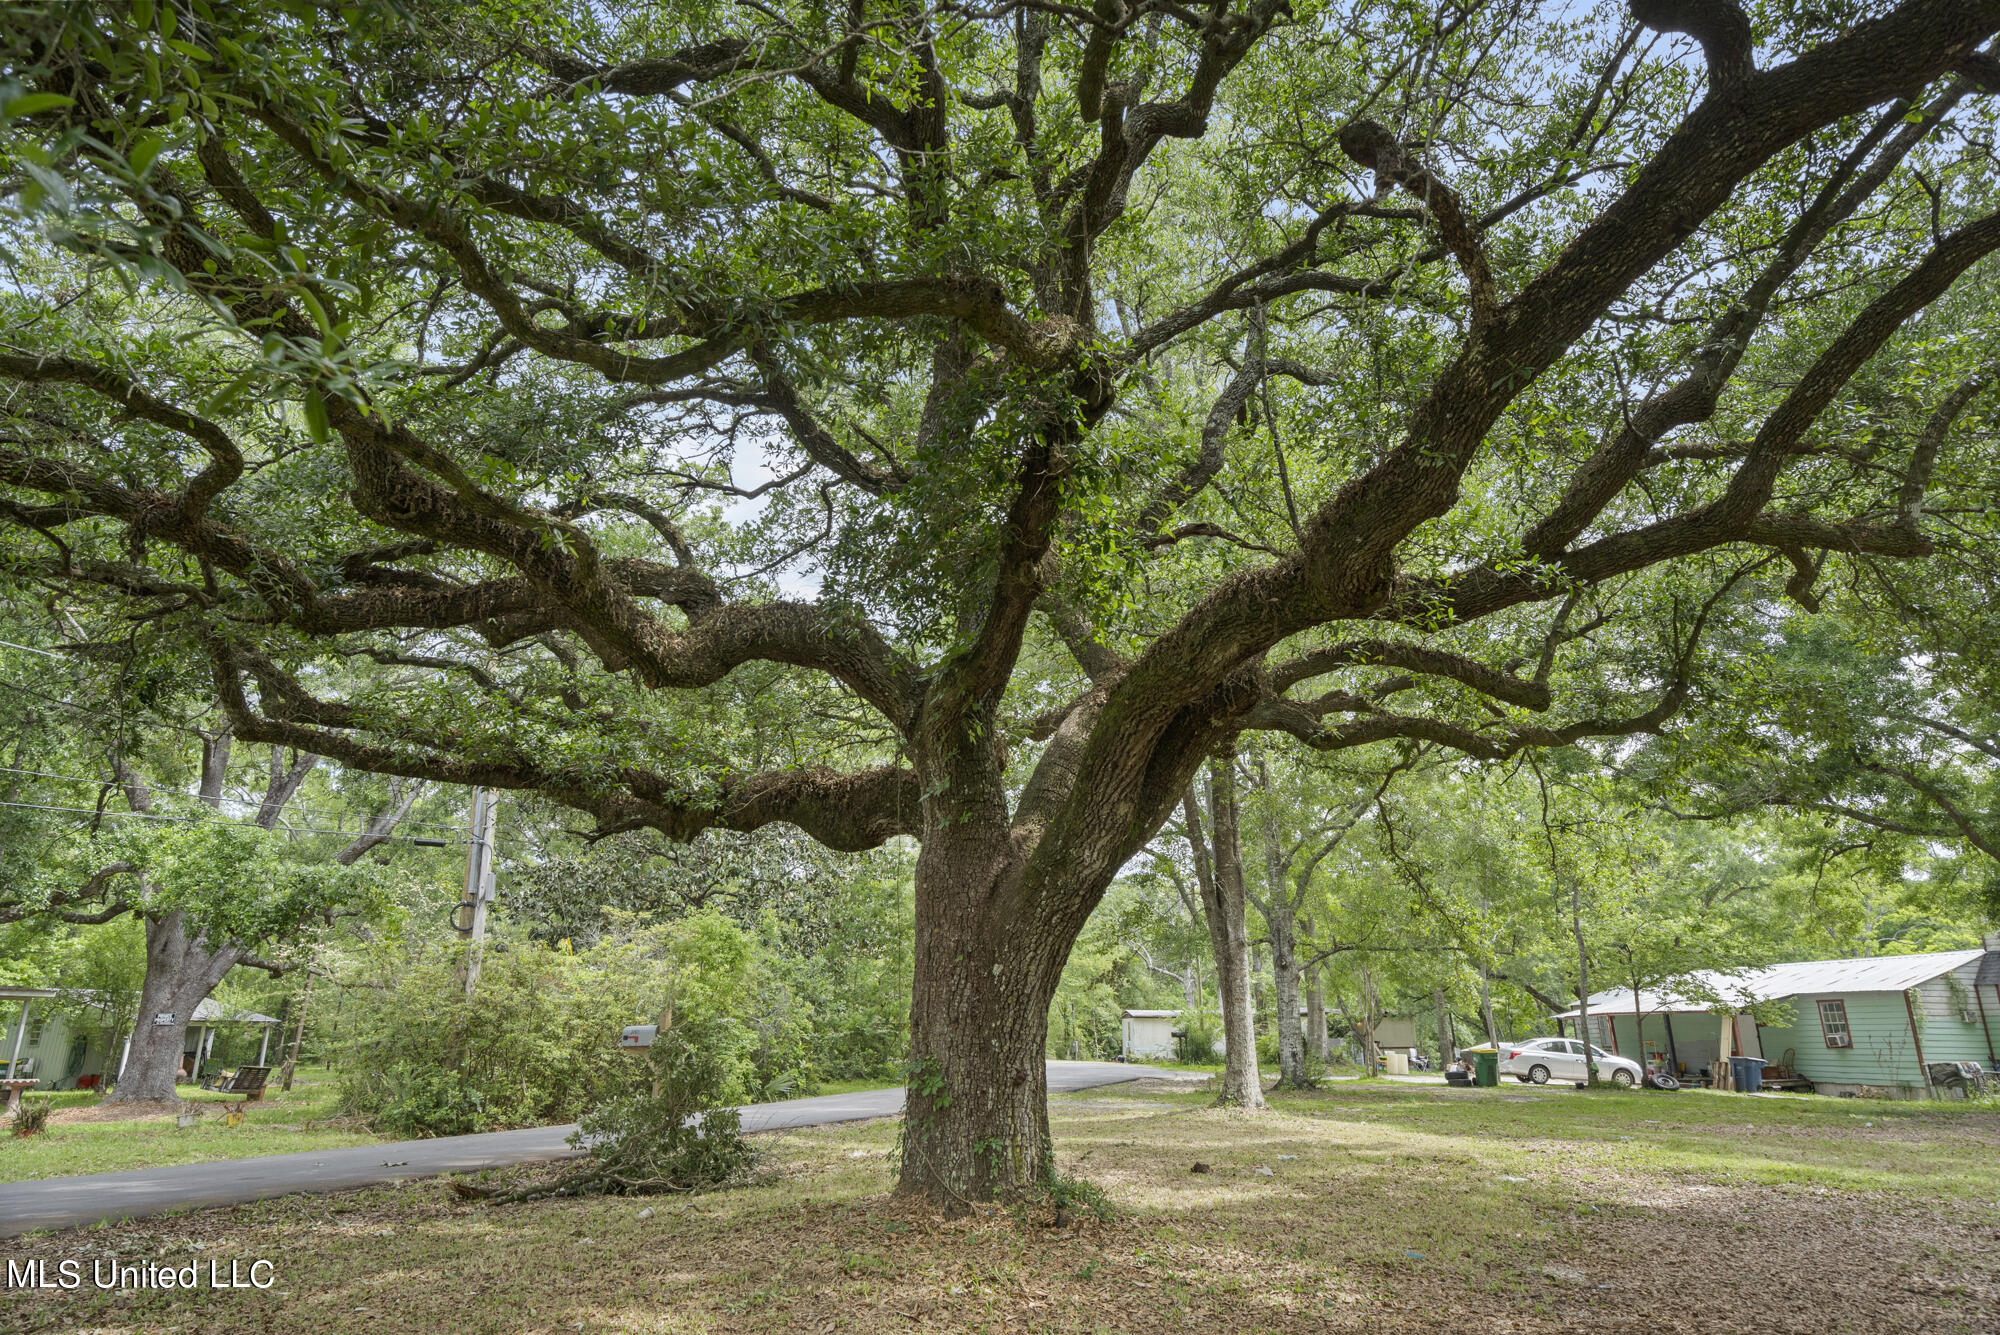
281, 1122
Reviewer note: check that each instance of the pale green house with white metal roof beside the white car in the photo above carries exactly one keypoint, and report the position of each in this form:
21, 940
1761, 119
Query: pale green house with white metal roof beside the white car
1879, 1028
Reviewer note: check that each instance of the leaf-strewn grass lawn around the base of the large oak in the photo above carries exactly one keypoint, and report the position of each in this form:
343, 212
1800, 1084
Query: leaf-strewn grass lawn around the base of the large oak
1361, 1208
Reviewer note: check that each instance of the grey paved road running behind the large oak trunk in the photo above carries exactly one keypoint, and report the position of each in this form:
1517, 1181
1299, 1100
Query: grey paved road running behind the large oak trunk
71, 1202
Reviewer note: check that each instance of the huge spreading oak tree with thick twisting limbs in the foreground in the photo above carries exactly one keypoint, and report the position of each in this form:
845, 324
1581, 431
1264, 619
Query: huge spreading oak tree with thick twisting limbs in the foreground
1131, 377
